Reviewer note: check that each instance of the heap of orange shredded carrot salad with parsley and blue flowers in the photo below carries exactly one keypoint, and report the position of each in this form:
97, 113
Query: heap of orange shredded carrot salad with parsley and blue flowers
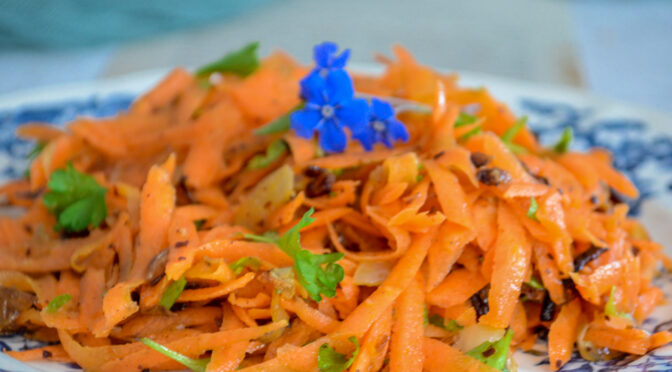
262, 215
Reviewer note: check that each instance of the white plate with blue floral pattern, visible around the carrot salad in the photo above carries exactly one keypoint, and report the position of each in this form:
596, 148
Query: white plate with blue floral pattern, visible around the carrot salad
639, 138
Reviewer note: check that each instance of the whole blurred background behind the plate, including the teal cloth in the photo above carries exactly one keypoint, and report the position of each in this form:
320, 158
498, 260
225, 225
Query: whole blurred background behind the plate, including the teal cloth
616, 48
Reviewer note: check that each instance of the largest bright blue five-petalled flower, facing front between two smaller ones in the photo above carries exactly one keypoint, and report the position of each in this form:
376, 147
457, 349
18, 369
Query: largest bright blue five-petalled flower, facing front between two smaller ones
329, 107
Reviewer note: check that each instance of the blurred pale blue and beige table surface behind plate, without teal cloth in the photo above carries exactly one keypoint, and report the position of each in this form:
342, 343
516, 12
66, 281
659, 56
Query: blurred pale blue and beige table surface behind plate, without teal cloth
618, 49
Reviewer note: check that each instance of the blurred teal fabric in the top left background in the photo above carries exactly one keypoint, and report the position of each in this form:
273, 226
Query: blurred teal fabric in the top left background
71, 23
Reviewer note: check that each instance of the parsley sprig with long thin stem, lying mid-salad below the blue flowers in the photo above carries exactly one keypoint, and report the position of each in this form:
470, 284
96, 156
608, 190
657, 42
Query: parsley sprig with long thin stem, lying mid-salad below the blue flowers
319, 274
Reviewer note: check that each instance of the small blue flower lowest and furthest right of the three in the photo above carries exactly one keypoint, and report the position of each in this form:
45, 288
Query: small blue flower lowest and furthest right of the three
383, 127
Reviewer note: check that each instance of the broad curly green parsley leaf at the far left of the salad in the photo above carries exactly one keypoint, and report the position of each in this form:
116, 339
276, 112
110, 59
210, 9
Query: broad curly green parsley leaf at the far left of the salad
76, 199
